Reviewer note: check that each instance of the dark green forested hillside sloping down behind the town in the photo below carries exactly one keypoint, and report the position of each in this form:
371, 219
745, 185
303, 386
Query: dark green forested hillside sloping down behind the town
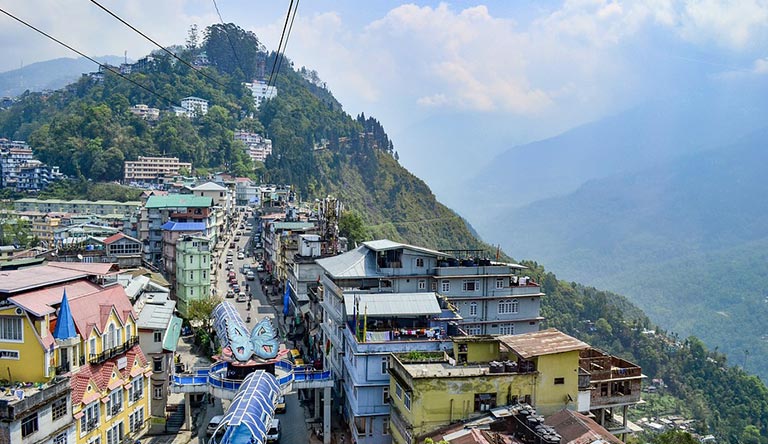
87, 130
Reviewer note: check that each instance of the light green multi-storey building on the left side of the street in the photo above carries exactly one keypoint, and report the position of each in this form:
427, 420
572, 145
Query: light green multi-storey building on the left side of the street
193, 270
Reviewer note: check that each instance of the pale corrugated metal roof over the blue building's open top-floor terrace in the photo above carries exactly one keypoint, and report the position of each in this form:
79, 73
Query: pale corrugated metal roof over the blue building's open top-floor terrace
392, 304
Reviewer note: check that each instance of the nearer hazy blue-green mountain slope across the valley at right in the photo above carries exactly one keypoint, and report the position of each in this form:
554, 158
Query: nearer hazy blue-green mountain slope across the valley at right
685, 240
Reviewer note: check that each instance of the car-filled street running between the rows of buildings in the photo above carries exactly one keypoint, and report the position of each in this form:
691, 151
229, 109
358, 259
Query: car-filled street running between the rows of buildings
293, 421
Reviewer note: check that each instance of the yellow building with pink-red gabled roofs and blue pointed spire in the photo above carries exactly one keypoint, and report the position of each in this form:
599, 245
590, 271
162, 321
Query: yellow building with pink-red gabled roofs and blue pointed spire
90, 336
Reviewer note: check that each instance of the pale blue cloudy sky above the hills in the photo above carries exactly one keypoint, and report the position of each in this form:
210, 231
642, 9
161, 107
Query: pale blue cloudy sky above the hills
453, 83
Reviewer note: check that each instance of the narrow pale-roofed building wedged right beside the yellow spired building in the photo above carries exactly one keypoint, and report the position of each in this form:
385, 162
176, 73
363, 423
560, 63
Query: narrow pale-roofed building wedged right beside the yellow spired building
159, 332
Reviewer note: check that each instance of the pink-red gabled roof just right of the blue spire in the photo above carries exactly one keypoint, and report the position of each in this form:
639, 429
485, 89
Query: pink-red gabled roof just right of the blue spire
92, 310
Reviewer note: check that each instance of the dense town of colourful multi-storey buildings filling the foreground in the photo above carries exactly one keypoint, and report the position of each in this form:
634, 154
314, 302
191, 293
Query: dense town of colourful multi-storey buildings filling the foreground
376, 342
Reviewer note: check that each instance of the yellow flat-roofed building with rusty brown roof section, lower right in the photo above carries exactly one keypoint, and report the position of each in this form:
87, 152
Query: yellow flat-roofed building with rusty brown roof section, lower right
428, 391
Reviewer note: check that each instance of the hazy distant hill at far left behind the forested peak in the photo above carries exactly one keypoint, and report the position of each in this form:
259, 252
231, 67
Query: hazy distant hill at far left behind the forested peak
50, 74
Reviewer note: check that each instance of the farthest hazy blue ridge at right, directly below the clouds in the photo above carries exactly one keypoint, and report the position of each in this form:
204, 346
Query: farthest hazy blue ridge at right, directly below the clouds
659, 131
